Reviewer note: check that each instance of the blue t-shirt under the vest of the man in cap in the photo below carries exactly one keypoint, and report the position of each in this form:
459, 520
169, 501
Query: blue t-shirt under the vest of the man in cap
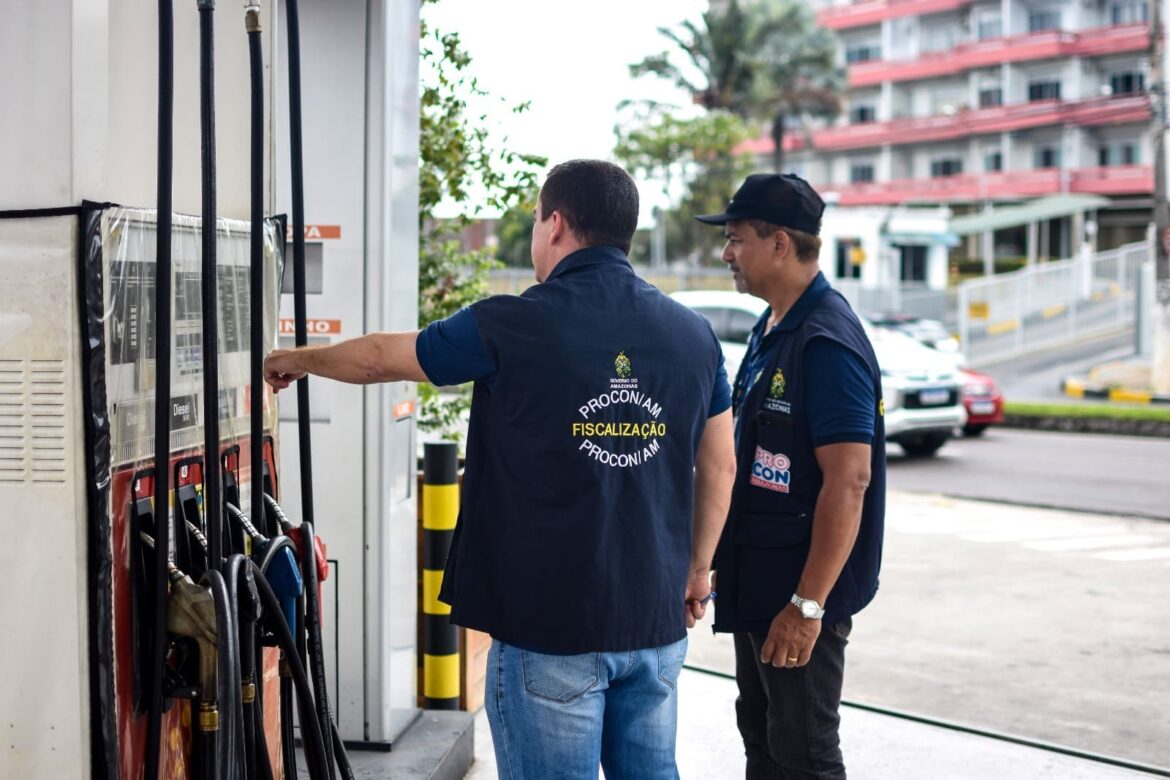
842, 408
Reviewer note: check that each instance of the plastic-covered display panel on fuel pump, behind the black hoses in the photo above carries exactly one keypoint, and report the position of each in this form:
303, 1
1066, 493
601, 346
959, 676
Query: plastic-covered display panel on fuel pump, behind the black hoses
128, 256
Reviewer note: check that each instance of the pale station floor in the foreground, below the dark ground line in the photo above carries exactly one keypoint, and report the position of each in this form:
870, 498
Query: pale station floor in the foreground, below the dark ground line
877, 747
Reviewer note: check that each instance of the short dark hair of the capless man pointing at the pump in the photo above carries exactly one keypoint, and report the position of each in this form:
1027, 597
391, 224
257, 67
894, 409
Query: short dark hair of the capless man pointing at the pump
597, 199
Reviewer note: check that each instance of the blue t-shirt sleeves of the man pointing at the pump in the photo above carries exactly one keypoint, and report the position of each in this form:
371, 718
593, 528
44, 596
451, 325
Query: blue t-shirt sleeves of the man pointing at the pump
452, 353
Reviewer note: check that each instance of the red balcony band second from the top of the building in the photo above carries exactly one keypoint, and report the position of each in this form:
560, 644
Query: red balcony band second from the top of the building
1018, 49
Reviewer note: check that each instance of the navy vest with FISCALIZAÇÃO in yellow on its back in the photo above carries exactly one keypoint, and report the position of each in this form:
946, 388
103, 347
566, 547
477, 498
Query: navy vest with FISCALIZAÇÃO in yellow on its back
576, 516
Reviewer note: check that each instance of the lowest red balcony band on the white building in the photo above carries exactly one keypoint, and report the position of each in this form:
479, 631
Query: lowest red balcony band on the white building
1110, 181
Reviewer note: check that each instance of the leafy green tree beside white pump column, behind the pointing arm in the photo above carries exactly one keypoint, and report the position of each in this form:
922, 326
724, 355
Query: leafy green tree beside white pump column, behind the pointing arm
458, 161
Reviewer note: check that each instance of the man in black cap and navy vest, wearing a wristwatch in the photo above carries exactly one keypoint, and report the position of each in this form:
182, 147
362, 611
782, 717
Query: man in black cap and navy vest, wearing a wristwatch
802, 548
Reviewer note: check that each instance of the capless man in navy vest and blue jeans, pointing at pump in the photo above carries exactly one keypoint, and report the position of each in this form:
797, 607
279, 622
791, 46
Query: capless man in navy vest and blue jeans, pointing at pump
600, 470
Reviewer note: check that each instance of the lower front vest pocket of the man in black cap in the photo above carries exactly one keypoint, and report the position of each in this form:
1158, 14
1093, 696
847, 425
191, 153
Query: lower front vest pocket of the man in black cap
772, 551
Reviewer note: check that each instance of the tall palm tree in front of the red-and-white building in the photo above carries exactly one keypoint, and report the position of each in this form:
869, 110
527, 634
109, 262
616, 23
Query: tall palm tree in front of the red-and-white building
762, 60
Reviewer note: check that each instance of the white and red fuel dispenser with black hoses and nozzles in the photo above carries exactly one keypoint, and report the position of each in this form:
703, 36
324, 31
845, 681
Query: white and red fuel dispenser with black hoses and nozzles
170, 592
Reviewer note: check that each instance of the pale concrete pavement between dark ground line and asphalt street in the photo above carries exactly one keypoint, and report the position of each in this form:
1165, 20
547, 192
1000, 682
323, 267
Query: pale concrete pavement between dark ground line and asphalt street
1036, 623
